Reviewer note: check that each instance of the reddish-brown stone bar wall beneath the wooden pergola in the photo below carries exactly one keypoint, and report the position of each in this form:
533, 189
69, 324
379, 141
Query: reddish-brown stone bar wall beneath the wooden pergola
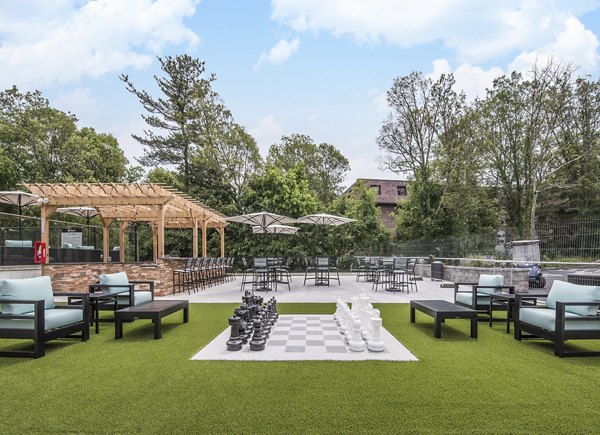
76, 277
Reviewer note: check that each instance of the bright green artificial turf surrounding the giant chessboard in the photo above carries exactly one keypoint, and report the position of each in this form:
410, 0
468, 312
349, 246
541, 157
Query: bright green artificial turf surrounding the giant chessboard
140, 385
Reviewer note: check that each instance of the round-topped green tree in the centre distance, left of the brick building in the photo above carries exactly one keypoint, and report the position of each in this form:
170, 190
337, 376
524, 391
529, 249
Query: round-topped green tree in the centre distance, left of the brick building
325, 166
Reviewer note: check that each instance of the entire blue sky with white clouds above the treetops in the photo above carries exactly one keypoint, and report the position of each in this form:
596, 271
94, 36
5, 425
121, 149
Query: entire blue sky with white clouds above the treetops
316, 67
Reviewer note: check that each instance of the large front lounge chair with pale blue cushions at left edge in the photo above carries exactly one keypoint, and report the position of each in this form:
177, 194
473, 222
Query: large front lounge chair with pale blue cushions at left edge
28, 311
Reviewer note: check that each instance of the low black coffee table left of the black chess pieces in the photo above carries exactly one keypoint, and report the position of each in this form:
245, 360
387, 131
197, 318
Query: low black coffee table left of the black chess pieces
154, 310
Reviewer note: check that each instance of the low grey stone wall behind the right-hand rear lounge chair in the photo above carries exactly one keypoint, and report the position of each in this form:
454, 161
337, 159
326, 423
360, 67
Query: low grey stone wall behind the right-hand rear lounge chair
516, 277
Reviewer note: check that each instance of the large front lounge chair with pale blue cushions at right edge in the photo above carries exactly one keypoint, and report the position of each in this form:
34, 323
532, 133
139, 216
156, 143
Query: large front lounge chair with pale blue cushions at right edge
571, 313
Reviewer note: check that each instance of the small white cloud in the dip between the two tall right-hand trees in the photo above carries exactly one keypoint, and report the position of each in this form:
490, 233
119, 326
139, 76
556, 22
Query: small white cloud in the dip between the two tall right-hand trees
473, 80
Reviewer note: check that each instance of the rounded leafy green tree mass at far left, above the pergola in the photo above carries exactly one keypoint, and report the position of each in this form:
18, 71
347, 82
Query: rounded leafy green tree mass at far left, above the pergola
42, 144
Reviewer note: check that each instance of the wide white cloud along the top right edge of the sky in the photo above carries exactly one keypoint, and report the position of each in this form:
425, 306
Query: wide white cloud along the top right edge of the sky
476, 30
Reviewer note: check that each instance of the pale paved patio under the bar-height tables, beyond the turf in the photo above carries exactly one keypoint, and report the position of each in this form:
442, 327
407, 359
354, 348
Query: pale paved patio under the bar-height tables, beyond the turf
230, 292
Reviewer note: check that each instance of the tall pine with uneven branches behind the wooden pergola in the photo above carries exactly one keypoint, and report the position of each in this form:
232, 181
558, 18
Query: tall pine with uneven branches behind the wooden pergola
186, 118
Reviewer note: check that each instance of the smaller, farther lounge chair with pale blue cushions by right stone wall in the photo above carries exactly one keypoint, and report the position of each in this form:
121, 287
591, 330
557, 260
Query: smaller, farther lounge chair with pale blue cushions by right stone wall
477, 297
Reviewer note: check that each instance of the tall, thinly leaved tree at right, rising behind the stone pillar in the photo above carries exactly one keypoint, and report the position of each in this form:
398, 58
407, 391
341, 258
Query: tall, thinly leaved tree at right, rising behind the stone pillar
522, 124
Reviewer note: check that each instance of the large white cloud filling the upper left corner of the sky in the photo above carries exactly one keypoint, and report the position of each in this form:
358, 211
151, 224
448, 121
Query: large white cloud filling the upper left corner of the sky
68, 40
